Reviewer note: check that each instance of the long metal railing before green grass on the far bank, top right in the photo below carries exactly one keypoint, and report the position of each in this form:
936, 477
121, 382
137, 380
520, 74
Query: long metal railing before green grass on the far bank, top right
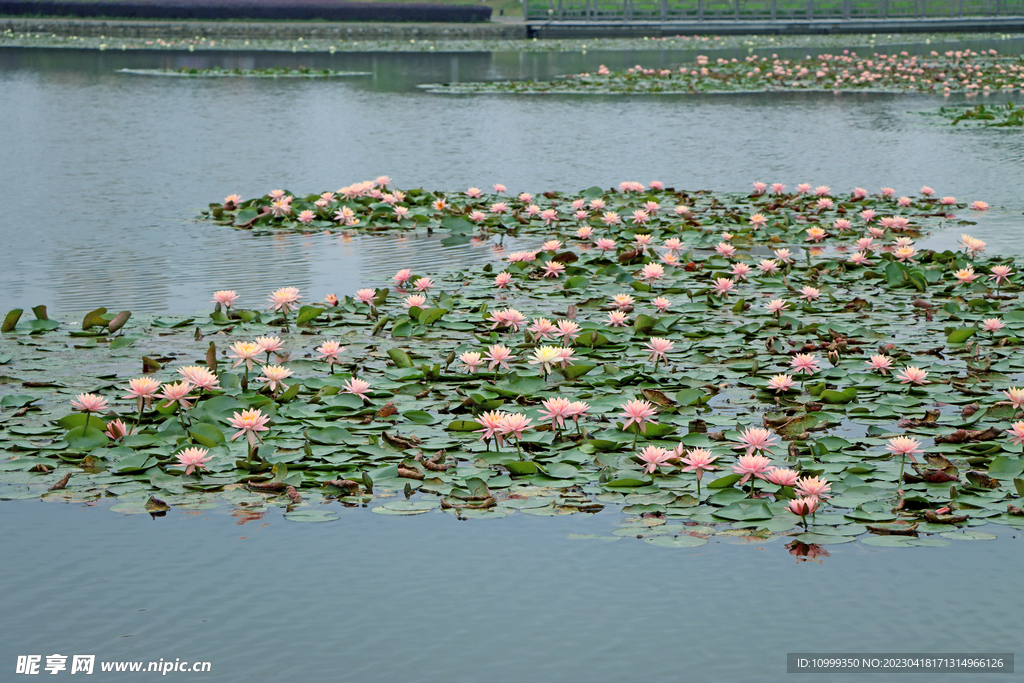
760, 11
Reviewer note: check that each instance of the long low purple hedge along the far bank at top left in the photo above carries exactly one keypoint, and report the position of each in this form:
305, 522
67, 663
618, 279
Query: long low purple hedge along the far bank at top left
247, 10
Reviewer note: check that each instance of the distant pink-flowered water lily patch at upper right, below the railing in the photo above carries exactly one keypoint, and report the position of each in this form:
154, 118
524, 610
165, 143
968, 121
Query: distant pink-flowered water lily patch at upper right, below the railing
954, 71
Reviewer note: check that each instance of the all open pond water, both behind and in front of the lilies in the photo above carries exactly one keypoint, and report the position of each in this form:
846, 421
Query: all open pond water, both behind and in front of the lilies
104, 175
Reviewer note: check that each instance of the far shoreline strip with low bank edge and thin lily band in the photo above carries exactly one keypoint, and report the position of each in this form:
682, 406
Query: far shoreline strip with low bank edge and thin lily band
314, 38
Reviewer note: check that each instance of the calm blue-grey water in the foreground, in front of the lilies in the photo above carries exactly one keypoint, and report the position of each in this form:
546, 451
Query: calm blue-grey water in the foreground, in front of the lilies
372, 599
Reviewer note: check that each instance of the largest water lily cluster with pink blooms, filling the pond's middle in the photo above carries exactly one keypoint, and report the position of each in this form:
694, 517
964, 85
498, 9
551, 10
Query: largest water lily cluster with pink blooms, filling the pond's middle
781, 366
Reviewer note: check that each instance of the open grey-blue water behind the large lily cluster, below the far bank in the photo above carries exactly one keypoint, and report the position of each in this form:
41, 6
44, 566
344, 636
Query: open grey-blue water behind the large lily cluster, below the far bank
104, 173
